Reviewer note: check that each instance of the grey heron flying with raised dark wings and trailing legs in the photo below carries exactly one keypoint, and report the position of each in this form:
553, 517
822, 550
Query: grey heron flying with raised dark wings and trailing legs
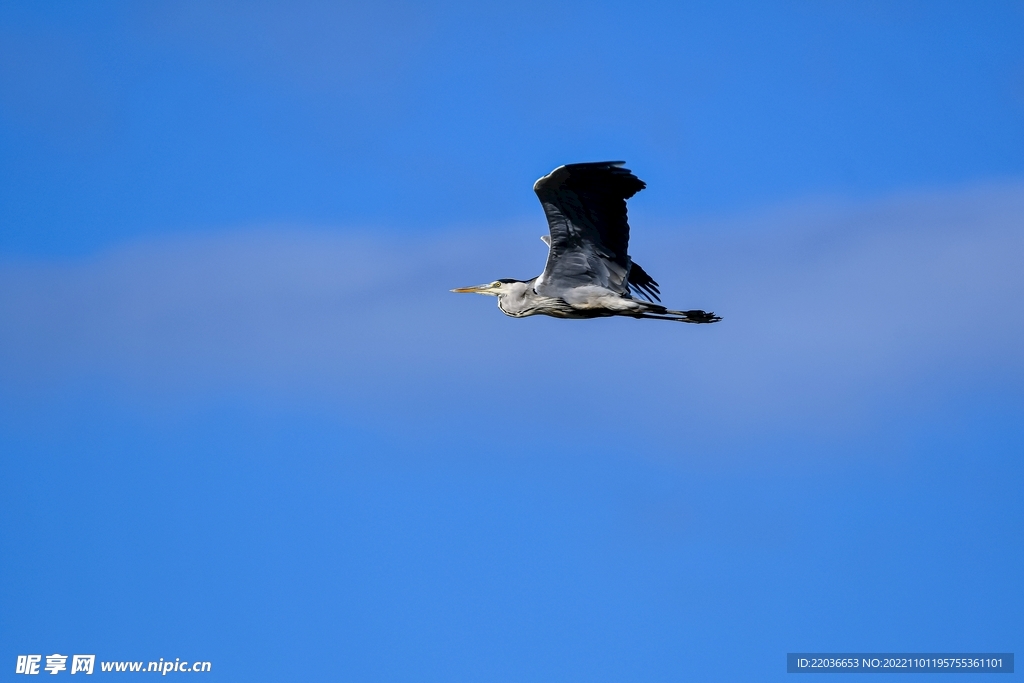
589, 273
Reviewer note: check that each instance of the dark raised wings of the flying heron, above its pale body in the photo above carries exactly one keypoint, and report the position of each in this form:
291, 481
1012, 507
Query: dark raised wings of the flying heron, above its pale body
586, 209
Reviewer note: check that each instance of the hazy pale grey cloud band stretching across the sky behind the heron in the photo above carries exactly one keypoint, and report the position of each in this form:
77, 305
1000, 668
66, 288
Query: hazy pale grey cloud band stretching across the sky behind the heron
826, 308
